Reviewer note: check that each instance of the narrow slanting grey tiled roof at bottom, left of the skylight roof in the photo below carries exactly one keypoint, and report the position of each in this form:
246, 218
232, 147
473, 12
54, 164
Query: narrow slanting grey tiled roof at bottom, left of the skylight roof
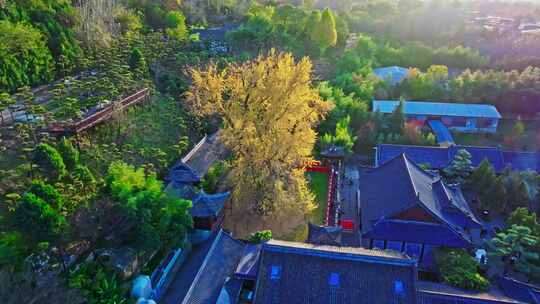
219, 264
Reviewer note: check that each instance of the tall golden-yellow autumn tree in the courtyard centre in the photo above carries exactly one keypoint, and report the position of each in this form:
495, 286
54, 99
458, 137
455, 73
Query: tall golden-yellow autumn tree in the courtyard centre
269, 110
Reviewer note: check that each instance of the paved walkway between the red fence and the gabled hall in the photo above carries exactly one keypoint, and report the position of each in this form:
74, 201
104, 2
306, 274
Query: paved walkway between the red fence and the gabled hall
349, 204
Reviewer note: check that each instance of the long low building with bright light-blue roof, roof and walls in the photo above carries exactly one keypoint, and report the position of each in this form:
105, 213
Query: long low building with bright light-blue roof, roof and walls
456, 116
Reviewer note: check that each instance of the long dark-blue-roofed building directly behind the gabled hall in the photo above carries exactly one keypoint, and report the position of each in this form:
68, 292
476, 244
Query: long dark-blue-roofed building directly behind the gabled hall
441, 157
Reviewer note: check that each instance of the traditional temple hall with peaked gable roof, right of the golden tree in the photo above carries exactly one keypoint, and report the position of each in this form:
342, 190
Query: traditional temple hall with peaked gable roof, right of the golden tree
408, 209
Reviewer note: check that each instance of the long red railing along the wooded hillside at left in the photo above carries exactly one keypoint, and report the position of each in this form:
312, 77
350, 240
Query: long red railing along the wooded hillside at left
101, 115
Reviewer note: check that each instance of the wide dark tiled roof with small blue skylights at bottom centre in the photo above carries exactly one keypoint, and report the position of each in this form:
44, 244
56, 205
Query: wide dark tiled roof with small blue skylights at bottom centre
304, 273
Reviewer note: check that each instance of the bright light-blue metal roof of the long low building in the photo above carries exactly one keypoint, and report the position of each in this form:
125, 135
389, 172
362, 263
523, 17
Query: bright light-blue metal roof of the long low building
437, 108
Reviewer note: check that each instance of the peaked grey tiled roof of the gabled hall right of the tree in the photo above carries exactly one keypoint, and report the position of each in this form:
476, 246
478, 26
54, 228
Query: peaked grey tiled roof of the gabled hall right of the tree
412, 186
